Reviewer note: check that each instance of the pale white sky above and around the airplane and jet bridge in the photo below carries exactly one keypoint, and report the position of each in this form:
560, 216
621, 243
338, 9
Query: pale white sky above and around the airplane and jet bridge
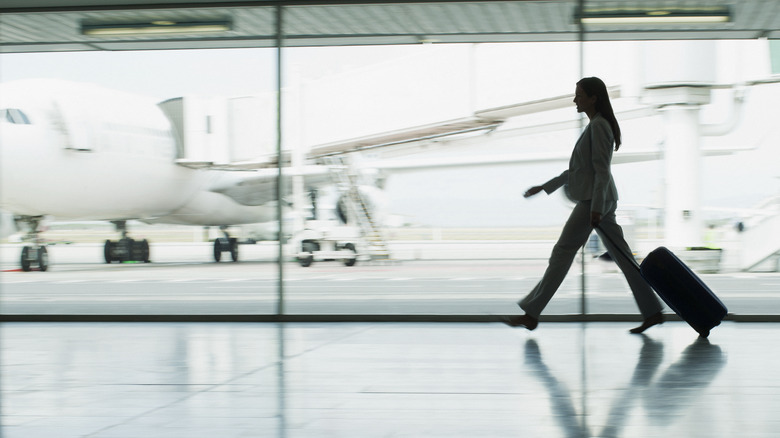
346, 92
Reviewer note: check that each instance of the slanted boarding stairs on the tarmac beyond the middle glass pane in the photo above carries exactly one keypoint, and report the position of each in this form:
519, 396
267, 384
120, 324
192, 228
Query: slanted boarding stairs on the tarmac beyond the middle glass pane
357, 209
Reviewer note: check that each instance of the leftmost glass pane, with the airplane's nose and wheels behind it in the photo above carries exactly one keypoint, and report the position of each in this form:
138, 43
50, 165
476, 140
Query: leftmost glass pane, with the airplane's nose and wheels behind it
101, 149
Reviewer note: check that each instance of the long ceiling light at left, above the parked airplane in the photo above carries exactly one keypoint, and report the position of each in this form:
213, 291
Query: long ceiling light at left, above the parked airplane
154, 27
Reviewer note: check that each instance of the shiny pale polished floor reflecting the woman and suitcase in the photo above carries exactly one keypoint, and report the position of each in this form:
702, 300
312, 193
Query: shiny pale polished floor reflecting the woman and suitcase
223, 380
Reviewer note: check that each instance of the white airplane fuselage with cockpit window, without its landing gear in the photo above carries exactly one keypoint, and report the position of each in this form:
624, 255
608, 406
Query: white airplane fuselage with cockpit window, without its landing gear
78, 152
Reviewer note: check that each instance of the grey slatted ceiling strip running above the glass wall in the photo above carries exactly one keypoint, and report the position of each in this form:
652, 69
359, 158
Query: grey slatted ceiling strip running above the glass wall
50, 25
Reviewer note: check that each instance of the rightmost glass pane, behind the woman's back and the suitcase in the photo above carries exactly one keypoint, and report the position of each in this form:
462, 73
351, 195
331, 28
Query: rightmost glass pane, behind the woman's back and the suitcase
709, 192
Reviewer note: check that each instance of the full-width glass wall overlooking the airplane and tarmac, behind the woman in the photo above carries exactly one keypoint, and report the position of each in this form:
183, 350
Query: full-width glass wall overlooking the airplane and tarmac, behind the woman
404, 172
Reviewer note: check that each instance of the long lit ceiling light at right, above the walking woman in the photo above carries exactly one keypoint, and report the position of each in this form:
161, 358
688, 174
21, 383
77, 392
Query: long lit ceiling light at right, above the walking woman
657, 16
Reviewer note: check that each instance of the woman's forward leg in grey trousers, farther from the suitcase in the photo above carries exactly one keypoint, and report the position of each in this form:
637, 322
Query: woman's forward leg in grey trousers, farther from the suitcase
575, 233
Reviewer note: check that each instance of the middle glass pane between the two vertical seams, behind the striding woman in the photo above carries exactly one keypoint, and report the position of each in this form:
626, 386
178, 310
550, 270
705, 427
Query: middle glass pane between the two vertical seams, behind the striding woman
449, 208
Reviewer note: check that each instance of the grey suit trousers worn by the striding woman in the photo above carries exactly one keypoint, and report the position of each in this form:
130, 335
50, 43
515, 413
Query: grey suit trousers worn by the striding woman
575, 233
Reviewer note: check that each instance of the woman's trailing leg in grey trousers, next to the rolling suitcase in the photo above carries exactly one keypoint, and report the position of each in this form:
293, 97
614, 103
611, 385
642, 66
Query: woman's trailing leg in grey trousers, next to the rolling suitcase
645, 298
